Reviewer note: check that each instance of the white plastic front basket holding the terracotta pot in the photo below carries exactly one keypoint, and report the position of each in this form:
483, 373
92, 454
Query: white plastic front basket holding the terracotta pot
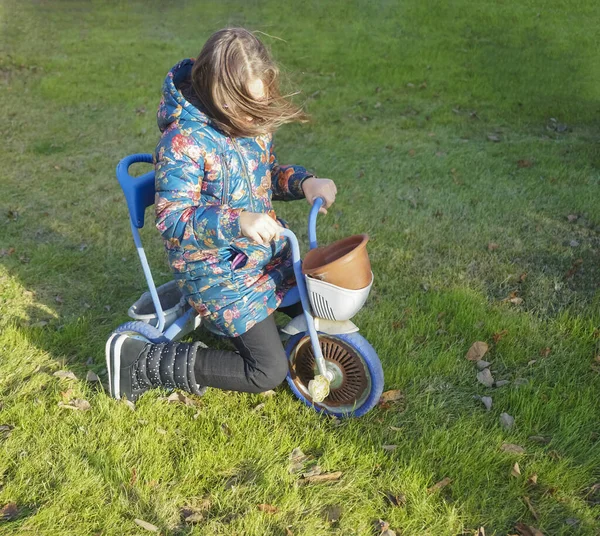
335, 303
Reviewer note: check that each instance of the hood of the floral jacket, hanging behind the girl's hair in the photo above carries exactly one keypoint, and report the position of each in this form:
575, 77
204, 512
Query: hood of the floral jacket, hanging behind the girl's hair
173, 105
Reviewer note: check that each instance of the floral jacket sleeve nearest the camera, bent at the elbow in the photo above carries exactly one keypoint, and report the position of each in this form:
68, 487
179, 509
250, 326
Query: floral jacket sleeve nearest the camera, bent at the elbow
182, 217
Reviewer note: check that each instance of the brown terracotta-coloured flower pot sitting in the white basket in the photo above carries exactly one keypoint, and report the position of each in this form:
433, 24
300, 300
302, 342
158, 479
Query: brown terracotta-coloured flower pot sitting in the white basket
344, 263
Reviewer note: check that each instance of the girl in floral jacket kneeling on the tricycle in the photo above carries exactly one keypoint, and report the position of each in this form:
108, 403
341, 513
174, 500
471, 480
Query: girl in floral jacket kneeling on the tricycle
216, 175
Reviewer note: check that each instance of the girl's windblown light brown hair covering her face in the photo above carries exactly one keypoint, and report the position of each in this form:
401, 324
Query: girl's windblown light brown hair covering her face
229, 61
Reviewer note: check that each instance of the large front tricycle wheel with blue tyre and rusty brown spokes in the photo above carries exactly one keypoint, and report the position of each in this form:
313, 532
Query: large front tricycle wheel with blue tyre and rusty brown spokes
358, 382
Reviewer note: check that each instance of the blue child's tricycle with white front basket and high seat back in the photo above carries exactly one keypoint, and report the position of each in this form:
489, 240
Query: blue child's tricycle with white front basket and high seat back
331, 367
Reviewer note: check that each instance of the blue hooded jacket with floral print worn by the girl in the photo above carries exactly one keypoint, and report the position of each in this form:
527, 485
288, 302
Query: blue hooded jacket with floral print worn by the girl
204, 180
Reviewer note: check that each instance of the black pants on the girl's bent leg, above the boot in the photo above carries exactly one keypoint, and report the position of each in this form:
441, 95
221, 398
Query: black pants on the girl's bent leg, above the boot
260, 365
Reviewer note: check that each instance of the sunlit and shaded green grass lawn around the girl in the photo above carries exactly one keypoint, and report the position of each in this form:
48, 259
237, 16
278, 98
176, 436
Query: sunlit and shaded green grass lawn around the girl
403, 97
